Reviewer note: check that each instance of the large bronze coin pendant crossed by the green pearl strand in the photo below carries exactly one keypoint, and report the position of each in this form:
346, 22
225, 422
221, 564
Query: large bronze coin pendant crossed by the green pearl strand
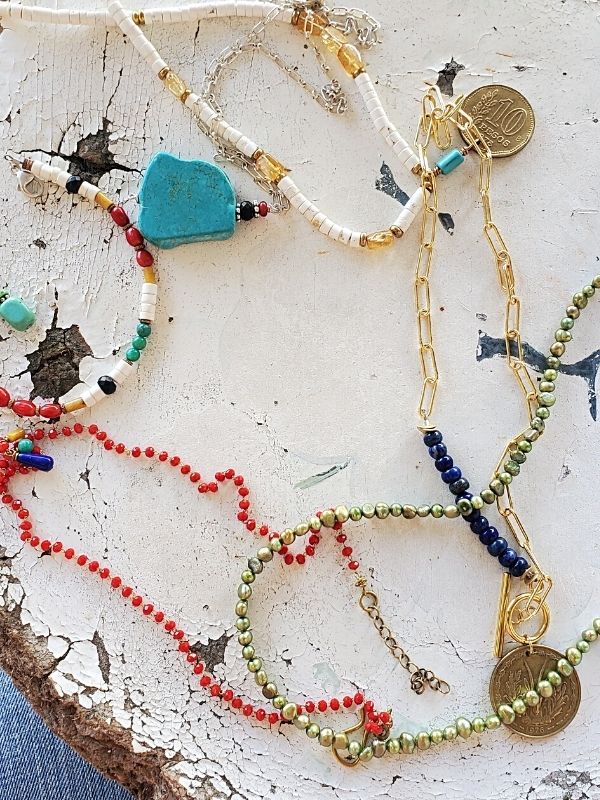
521, 670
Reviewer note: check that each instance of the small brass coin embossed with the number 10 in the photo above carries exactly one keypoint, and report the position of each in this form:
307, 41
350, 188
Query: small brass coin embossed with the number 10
503, 116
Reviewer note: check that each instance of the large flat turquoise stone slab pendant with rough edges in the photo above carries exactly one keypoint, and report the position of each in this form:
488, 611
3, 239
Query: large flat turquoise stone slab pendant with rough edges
185, 201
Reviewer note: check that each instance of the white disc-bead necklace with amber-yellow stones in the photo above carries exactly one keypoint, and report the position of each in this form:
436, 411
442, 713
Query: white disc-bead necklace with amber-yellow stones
268, 170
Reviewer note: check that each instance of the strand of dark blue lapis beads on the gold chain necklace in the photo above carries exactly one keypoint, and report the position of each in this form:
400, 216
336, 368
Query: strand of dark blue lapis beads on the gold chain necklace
496, 545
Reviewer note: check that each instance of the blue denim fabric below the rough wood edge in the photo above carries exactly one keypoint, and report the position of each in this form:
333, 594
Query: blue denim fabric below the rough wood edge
37, 765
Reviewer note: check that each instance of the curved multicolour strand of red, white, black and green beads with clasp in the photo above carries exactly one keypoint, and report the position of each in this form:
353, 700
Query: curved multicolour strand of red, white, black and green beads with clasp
34, 173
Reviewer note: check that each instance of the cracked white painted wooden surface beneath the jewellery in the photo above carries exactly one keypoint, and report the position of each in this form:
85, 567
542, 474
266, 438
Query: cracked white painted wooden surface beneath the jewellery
283, 355
